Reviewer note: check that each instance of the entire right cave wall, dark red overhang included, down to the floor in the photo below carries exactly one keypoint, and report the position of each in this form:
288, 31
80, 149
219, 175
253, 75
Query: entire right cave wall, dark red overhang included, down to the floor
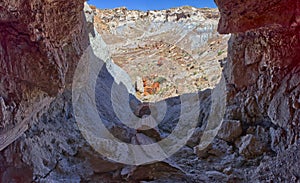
262, 73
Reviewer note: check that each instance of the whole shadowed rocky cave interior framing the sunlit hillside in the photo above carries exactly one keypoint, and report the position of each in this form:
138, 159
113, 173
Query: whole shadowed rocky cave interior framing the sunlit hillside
63, 101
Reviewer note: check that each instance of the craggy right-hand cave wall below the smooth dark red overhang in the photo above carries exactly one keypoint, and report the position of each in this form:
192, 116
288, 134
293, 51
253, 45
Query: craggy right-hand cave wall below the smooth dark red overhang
266, 91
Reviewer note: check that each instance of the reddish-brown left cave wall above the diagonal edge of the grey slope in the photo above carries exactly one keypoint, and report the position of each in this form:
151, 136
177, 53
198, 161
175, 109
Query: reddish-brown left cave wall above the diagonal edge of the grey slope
41, 42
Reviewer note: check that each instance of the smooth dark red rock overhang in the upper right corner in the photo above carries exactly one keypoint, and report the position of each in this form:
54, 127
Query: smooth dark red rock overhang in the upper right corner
240, 16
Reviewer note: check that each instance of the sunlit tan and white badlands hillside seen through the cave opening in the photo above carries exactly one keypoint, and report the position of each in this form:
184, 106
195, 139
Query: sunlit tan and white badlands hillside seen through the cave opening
179, 48
